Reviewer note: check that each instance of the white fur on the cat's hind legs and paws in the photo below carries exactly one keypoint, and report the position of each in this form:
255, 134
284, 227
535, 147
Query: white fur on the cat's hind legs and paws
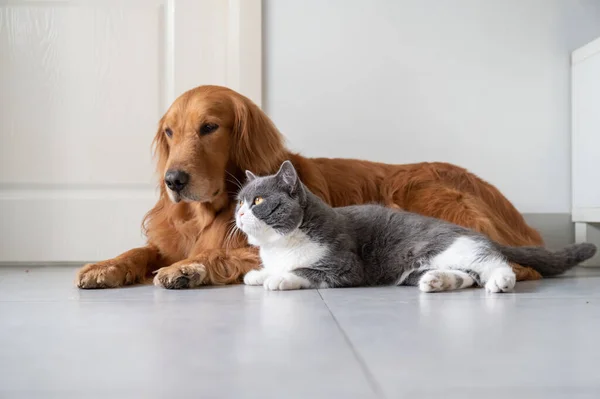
464, 253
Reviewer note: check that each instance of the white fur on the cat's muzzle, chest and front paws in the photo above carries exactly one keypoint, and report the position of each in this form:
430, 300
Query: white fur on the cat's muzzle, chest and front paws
279, 254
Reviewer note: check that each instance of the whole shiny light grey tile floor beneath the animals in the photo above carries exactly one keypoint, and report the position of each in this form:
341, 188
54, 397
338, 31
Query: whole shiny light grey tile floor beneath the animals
543, 341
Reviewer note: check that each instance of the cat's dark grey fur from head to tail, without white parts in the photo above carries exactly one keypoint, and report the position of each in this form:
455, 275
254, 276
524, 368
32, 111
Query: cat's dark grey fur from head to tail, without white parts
374, 245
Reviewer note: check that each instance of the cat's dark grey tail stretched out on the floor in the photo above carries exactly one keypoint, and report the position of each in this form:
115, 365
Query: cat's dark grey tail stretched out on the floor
549, 263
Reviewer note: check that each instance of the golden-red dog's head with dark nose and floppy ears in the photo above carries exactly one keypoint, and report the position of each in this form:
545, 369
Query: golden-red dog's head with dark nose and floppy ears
208, 134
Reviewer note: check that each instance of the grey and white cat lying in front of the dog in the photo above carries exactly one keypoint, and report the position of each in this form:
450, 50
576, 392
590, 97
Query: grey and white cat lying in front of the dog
305, 243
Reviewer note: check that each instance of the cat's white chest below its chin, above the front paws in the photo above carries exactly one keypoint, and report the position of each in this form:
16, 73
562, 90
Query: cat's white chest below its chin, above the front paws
291, 252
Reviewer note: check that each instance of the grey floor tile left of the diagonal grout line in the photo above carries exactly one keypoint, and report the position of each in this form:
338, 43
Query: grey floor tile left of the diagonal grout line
237, 342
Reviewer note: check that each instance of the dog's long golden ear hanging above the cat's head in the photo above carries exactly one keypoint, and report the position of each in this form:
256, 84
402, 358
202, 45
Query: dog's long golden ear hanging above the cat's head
257, 144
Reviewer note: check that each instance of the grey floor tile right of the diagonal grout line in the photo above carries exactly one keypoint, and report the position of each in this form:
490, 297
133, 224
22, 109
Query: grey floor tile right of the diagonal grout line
472, 344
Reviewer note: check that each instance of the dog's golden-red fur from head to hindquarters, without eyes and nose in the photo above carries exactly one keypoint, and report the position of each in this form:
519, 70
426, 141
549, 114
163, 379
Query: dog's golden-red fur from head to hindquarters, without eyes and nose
192, 242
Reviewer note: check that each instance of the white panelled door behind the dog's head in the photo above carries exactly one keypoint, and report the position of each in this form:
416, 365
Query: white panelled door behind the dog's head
82, 86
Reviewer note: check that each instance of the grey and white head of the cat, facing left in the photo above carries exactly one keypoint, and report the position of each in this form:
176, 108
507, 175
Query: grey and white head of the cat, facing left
272, 206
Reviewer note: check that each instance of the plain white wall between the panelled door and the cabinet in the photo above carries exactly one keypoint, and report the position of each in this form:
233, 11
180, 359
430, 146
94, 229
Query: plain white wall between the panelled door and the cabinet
480, 83
